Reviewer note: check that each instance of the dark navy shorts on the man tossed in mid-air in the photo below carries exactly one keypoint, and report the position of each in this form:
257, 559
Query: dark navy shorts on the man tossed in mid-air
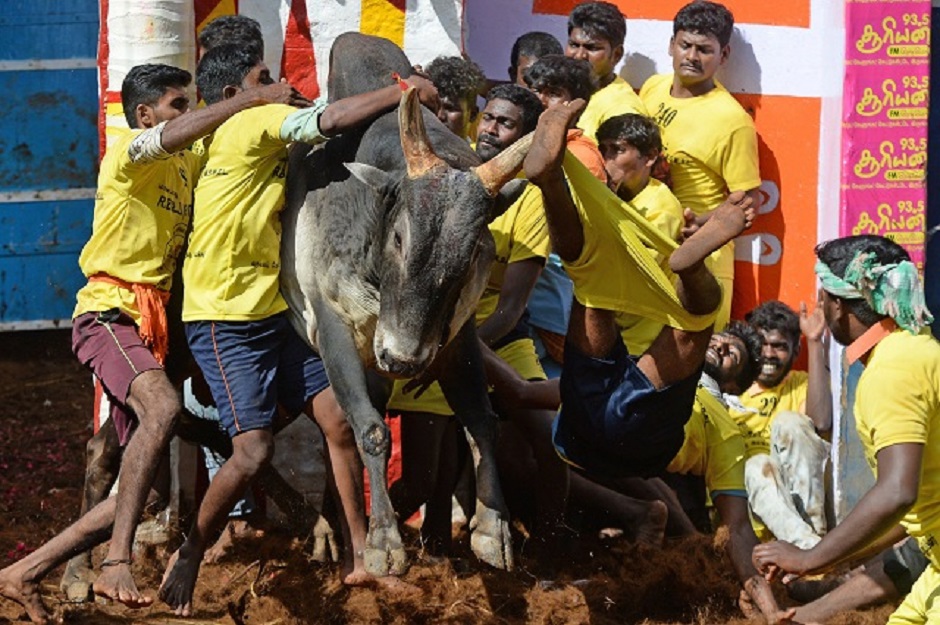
613, 422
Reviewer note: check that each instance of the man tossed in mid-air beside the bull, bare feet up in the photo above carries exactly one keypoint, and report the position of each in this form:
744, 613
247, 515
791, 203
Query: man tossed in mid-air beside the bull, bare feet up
624, 415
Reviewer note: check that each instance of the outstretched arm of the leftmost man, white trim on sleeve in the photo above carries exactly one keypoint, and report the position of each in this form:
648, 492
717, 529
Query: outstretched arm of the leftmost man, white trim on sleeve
167, 137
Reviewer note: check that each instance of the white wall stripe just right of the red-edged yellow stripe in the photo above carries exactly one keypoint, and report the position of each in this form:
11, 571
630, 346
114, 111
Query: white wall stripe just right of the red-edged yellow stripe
432, 29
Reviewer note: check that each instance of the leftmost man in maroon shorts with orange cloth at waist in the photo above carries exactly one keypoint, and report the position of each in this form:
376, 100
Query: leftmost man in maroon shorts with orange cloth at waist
142, 209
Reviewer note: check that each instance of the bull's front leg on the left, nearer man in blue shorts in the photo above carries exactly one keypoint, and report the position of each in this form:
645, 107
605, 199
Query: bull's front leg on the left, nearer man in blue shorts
384, 553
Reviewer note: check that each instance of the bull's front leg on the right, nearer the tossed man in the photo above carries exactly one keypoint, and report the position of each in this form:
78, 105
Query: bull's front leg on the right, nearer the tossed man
463, 382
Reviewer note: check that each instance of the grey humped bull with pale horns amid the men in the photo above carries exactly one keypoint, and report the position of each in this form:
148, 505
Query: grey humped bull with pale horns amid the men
385, 254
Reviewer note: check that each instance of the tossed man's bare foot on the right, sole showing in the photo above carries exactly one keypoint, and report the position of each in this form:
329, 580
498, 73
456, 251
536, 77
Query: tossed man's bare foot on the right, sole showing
727, 221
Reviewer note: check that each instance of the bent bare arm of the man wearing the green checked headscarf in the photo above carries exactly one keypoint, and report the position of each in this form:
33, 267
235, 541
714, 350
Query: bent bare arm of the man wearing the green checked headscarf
877, 513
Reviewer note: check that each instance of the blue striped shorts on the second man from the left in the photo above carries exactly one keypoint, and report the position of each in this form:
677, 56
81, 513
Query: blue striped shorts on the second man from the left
252, 366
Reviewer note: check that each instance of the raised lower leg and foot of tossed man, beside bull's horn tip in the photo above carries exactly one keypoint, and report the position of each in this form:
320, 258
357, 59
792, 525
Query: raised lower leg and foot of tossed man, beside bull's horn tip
543, 168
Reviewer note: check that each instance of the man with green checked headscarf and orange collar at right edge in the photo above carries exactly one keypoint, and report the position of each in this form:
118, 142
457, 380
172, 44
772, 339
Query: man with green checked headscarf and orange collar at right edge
874, 304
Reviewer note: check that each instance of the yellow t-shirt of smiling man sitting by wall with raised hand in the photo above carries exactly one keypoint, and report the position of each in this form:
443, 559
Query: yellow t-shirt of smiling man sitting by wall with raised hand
789, 395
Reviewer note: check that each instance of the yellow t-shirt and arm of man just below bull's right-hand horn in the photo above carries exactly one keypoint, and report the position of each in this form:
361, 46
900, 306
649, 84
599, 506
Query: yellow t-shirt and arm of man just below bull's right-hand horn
520, 233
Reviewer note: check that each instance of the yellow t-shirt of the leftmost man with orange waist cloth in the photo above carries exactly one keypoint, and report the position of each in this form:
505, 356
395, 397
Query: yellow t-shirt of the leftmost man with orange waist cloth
142, 212
